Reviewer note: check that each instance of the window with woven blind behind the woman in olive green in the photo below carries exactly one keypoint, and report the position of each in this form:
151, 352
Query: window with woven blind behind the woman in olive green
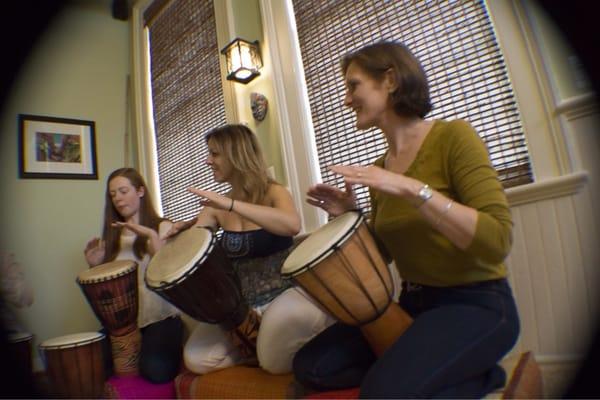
455, 42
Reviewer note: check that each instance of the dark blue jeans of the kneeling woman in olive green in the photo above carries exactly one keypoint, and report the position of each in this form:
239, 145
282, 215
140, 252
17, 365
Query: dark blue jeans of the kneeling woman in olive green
451, 350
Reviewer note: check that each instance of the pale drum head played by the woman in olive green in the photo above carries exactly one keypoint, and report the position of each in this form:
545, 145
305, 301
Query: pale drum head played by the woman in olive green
321, 243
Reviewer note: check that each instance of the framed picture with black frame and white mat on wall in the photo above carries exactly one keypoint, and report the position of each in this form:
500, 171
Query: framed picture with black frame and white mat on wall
56, 148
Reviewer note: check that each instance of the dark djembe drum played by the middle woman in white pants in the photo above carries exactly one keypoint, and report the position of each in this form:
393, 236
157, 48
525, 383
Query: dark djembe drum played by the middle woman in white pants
193, 273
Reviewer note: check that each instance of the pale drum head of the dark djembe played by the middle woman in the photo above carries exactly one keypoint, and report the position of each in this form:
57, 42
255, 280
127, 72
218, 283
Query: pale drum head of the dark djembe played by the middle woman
179, 256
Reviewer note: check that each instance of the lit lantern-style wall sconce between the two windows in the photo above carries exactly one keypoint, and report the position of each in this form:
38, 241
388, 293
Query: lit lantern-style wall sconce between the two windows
243, 60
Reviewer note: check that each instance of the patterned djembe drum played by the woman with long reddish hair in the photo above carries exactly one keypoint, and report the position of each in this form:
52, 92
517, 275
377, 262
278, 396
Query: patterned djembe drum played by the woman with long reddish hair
112, 291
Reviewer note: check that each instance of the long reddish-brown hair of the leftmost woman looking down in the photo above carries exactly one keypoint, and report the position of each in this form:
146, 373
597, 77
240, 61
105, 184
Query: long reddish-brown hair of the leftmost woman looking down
147, 216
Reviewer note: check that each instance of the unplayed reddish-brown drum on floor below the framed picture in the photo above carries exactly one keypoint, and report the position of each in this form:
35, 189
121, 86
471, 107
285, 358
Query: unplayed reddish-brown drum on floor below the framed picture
75, 365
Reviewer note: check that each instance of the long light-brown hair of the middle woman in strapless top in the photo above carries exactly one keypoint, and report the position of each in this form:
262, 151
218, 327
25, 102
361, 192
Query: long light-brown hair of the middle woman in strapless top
239, 145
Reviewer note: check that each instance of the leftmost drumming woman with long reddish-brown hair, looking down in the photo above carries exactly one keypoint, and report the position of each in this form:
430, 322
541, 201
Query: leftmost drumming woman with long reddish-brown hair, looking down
131, 231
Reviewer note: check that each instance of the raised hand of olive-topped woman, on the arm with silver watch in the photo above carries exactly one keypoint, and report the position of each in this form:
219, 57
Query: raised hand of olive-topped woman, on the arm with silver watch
371, 176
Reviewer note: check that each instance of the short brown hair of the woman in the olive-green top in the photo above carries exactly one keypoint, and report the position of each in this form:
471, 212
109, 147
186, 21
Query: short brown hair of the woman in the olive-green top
411, 97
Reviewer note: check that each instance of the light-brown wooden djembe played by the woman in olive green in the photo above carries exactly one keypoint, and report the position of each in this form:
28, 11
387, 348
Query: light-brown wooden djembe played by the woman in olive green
340, 266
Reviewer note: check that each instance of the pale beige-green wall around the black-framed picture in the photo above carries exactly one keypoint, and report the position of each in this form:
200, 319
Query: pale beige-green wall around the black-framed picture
77, 70
